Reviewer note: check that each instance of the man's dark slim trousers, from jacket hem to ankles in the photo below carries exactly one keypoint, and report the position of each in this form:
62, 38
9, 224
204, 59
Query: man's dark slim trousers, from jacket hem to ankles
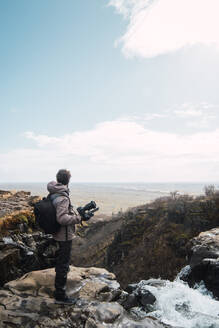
63, 256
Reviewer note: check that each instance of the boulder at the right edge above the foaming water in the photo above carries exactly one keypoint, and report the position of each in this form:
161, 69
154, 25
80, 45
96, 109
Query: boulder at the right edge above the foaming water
204, 260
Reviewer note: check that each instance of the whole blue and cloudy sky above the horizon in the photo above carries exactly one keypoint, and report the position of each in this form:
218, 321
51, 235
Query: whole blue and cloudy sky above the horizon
115, 91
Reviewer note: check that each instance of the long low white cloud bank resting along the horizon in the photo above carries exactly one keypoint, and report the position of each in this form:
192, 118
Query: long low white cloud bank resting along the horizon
116, 151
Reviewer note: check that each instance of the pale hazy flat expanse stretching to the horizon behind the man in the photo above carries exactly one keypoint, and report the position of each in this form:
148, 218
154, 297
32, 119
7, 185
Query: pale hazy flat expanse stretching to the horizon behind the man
113, 197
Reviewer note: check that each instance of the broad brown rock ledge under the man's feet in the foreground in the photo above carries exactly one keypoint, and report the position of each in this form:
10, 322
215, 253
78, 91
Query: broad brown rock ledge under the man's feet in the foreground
28, 302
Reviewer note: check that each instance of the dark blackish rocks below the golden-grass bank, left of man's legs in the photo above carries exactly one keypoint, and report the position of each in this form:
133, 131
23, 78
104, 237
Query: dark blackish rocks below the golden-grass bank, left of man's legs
21, 253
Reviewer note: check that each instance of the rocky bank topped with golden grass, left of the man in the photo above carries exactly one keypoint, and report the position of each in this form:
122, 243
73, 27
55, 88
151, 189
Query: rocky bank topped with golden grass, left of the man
22, 247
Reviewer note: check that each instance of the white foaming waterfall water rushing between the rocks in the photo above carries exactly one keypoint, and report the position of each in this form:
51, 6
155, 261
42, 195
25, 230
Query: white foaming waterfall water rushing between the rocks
181, 306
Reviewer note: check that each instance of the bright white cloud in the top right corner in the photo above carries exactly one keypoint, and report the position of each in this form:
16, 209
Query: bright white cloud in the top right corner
158, 27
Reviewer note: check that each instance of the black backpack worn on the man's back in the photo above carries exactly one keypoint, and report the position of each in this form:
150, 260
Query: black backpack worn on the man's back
45, 215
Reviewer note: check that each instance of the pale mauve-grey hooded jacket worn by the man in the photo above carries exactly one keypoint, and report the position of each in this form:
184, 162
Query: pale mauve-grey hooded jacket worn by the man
59, 194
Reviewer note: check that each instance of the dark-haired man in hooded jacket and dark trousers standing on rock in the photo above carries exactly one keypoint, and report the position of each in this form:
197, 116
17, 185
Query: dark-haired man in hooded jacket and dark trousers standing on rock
59, 193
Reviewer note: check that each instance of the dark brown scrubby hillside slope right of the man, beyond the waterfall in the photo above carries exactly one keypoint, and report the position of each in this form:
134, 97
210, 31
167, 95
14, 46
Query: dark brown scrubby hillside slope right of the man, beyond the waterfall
149, 240
